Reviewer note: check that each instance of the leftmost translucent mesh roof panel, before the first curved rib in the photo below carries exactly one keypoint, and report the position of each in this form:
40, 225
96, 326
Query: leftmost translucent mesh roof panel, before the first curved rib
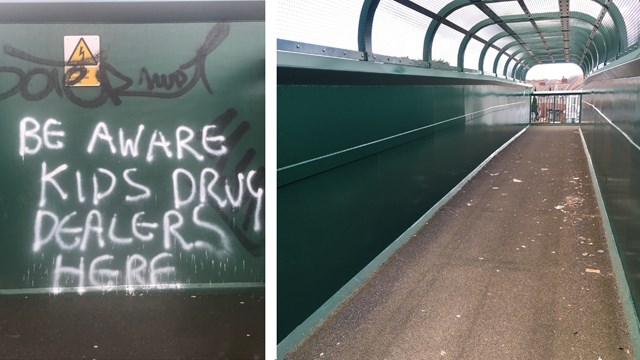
331, 23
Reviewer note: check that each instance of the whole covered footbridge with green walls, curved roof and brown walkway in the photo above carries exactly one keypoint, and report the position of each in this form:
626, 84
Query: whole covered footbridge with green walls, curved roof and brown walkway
423, 212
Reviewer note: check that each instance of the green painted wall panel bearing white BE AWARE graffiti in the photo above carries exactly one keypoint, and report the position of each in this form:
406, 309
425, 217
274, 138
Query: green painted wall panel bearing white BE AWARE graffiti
154, 179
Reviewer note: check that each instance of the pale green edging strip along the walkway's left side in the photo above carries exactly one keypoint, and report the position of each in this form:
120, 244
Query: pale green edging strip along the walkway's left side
307, 327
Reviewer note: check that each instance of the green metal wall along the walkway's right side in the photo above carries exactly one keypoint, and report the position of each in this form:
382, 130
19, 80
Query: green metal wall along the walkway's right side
611, 130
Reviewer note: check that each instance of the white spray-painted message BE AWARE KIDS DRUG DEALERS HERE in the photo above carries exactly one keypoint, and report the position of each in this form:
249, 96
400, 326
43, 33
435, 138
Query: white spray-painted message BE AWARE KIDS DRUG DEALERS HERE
112, 233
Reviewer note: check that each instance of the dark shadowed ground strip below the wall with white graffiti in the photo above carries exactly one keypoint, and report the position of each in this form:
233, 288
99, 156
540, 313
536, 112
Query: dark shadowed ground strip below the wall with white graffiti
161, 325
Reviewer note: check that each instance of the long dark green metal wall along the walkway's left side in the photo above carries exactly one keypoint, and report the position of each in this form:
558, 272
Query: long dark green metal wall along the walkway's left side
362, 155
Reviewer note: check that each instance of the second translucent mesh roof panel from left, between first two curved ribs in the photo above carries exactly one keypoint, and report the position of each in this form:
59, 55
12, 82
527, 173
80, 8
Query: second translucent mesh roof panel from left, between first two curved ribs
398, 31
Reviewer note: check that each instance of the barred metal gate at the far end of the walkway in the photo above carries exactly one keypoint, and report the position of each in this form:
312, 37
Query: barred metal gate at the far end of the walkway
555, 107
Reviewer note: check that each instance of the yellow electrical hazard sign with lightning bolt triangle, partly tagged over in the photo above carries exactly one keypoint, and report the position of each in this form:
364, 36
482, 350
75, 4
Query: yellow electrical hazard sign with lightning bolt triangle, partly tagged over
82, 60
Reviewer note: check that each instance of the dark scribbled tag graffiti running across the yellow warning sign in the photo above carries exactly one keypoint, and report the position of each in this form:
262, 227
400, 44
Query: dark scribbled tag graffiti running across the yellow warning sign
159, 86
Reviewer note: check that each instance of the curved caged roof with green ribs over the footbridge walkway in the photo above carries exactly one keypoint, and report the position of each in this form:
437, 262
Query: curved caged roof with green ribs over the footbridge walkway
496, 37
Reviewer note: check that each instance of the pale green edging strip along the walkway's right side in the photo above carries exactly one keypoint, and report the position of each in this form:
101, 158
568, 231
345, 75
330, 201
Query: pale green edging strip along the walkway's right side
629, 311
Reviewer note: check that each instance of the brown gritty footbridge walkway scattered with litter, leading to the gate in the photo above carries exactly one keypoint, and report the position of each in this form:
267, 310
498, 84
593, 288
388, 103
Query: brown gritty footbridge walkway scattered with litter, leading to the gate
515, 266
